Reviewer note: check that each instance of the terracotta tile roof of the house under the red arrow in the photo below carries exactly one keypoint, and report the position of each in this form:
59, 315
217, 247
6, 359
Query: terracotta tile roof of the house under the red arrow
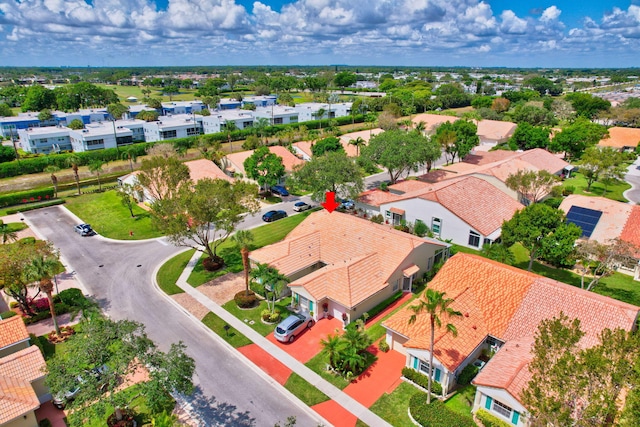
352, 249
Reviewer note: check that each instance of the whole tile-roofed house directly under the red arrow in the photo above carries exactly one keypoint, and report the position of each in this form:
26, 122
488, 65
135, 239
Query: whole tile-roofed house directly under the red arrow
348, 264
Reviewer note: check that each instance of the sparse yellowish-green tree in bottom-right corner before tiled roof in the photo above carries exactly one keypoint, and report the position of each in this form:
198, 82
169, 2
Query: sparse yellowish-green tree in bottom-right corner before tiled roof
573, 385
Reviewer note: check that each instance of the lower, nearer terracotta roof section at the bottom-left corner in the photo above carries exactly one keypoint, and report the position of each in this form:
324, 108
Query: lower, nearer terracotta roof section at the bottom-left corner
17, 371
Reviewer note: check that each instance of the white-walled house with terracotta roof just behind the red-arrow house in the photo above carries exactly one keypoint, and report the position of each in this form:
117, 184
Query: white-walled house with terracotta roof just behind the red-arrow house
468, 210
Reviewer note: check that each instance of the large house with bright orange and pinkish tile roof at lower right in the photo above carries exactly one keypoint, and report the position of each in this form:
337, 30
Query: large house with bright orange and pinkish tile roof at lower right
501, 308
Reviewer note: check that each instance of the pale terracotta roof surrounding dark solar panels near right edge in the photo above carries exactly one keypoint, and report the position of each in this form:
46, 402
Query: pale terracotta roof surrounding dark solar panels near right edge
615, 215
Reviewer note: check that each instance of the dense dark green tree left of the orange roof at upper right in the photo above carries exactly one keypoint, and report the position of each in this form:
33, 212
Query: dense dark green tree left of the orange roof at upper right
576, 137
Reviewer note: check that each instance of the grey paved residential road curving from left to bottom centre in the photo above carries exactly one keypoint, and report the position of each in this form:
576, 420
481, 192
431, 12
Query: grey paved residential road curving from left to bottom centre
119, 276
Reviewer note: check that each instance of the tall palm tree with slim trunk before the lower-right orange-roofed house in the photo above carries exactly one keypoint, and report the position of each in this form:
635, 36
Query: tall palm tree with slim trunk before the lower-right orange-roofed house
435, 305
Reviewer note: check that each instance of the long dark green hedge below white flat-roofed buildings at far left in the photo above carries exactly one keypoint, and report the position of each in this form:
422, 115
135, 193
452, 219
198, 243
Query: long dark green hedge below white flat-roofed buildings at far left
39, 164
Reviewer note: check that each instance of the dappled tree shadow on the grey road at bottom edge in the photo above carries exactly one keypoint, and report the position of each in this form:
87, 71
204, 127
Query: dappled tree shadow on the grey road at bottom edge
207, 411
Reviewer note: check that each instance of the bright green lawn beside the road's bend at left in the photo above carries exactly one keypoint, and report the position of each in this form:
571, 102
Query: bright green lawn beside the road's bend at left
109, 218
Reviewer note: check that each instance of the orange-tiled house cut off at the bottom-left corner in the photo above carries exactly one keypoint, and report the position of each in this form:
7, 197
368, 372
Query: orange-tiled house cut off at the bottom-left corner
22, 375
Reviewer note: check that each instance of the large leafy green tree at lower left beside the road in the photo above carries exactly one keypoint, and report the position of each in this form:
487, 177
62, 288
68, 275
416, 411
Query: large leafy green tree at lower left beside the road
124, 348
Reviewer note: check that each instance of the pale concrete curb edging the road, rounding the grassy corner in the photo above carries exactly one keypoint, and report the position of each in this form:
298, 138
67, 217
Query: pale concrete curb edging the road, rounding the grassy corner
239, 356
